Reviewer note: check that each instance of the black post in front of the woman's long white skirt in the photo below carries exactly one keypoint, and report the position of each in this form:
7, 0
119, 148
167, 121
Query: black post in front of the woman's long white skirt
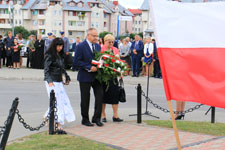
52, 113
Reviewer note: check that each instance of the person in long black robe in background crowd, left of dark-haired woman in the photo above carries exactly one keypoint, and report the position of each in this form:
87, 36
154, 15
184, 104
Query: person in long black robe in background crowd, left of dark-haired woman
39, 50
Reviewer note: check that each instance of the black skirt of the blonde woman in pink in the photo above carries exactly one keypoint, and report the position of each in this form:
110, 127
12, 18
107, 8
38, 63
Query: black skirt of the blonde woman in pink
111, 96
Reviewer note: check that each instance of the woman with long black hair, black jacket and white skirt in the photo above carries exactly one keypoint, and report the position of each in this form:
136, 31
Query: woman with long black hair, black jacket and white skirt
53, 72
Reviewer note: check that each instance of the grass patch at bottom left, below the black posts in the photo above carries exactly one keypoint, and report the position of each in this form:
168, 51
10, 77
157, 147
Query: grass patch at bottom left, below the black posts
43, 141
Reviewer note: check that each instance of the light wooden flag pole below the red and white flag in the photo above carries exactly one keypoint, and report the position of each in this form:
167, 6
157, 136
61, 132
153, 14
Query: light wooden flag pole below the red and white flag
174, 125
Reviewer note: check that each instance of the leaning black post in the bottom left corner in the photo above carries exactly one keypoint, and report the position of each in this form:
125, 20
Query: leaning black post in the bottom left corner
9, 123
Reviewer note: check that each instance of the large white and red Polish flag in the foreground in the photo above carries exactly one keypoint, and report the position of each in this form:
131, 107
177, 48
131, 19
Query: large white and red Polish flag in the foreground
191, 48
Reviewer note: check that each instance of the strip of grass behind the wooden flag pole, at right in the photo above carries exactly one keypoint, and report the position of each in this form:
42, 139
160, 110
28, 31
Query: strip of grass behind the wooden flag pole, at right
217, 129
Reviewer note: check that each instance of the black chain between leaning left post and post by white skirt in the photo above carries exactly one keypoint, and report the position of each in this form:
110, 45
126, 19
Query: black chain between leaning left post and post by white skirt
27, 126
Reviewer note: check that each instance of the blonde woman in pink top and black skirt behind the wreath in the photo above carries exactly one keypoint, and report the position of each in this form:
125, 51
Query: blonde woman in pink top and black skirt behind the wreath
111, 96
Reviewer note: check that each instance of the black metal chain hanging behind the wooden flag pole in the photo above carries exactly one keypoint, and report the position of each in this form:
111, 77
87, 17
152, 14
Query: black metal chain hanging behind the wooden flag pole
166, 110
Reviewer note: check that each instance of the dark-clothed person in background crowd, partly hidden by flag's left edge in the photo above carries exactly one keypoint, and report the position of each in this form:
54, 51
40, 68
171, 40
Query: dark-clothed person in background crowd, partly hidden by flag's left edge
157, 70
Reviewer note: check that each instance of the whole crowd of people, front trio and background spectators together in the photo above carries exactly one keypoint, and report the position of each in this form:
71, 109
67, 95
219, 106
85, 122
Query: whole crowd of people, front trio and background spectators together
51, 54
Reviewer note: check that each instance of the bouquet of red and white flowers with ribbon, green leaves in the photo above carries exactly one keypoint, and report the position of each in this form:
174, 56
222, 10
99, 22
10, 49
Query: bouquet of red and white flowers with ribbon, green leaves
109, 66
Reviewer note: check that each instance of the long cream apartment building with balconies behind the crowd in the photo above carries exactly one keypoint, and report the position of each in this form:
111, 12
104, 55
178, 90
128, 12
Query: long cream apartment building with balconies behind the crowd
72, 16
